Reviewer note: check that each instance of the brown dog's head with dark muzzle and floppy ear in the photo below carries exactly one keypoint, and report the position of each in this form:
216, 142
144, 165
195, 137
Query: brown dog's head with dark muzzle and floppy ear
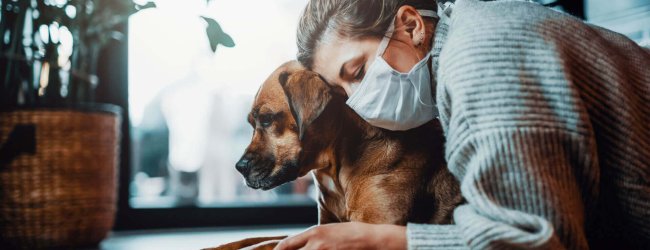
288, 102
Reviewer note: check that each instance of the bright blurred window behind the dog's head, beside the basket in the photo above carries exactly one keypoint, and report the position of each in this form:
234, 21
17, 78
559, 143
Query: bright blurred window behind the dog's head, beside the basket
188, 108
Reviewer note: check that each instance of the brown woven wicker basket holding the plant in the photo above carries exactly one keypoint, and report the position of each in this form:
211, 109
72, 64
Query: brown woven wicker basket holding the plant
58, 172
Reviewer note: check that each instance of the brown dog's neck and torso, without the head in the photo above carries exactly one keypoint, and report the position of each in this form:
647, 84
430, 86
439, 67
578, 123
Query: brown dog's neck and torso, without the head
345, 152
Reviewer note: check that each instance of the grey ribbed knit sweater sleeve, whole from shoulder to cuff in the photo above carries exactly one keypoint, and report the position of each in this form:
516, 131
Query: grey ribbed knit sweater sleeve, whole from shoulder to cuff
518, 139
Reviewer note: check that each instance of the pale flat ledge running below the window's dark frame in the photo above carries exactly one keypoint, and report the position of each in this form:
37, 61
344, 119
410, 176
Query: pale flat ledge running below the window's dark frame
191, 238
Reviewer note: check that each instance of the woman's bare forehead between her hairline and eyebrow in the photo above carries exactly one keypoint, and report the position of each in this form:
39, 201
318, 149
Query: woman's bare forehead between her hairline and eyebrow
331, 54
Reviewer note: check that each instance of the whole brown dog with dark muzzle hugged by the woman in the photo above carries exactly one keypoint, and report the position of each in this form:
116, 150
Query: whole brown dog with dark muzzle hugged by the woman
363, 173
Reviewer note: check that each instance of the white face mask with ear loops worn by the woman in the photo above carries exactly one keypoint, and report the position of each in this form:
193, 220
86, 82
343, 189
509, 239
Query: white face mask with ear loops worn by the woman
392, 100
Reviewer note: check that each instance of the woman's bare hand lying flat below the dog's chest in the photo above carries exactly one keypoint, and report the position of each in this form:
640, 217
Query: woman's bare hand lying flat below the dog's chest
349, 235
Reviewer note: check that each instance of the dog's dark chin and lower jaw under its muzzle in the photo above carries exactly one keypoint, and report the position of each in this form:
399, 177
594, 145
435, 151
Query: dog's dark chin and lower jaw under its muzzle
267, 181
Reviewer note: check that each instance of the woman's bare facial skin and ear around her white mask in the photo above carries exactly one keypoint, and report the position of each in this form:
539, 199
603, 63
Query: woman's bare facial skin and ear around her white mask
343, 62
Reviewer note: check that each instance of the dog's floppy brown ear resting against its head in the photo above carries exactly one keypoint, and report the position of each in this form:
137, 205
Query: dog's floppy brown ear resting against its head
308, 95
